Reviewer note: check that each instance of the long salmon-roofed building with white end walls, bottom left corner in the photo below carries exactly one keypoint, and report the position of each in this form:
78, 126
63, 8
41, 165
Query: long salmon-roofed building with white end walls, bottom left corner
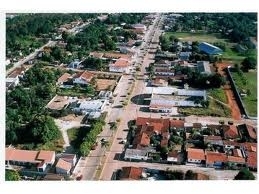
27, 158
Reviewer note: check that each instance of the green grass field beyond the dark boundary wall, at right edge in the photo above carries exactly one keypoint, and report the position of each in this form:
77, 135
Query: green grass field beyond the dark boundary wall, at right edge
250, 101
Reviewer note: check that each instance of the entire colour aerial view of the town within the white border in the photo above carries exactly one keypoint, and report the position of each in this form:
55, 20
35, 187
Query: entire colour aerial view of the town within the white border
131, 96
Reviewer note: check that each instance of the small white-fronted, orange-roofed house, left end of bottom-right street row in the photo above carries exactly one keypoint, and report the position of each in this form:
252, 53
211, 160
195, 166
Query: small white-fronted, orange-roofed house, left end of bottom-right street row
196, 156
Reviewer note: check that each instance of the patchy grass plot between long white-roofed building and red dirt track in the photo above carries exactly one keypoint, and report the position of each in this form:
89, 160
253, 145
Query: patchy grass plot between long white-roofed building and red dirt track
214, 109
